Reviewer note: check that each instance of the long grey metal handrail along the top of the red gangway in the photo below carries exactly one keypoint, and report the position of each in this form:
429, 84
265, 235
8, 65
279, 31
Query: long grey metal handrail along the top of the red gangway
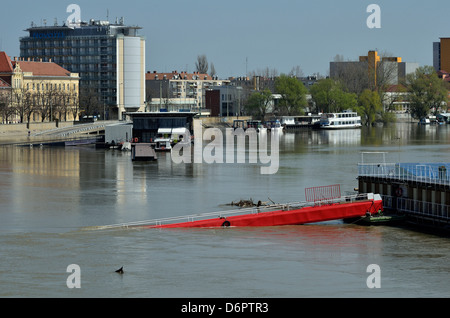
234, 212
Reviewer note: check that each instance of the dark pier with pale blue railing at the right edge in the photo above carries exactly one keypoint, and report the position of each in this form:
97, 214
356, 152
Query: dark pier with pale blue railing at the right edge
419, 191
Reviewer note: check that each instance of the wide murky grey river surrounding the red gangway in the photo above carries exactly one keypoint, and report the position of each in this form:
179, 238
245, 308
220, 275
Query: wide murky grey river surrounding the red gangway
49, 195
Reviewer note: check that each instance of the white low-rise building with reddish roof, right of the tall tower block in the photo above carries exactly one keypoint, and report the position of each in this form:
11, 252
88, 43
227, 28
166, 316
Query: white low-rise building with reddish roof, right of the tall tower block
178, 91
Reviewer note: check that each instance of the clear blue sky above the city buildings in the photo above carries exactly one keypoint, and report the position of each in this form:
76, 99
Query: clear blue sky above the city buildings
241, 36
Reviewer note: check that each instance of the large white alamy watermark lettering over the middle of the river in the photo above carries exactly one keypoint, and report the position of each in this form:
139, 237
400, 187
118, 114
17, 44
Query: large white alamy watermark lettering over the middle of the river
218, 151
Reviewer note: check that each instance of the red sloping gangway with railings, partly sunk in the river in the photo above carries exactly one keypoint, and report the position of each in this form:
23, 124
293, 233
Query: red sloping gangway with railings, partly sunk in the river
324, 206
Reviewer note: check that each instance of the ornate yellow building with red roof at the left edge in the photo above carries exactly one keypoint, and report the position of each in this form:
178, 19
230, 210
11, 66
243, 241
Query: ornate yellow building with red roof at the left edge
37, 91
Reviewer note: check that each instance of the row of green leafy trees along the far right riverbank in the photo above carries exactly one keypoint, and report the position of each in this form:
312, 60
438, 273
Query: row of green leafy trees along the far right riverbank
426, 93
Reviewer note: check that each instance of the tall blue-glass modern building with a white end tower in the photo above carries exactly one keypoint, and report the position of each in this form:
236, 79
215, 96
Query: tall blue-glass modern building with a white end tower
109, 57
